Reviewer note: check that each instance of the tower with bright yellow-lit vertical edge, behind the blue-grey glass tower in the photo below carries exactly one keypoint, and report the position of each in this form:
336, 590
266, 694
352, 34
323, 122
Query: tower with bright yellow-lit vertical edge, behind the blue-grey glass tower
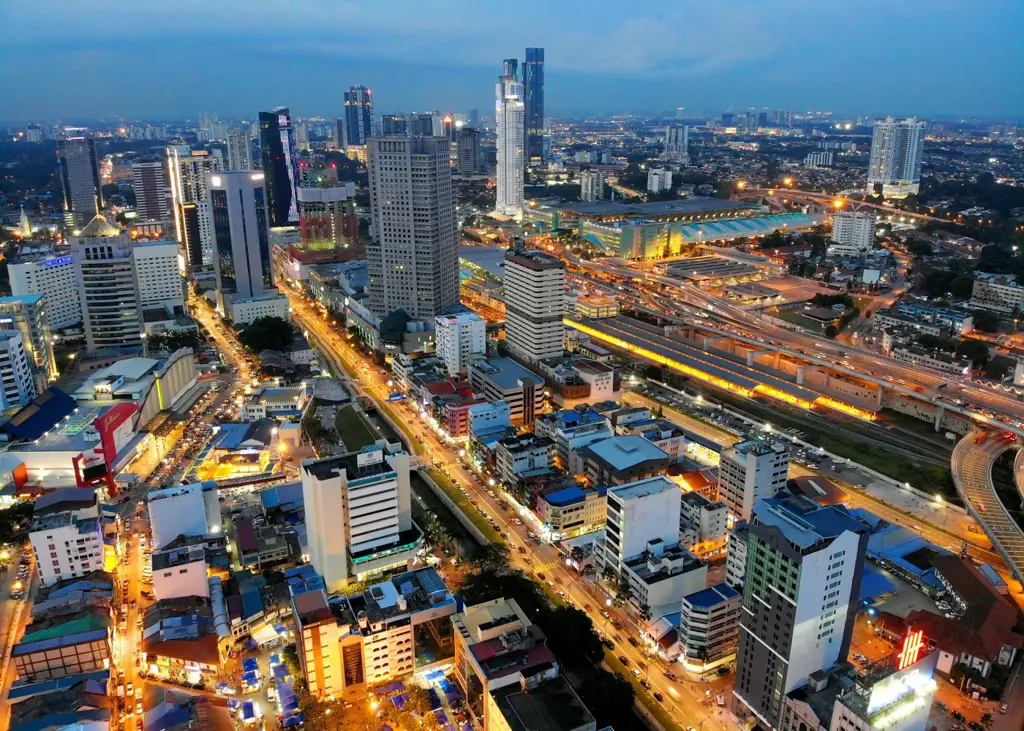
190, 202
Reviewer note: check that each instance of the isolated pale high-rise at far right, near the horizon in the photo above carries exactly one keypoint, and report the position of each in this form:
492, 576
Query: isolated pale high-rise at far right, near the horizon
898, 150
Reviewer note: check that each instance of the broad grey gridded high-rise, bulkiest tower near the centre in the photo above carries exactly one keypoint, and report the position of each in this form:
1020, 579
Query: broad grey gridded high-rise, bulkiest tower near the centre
414, 263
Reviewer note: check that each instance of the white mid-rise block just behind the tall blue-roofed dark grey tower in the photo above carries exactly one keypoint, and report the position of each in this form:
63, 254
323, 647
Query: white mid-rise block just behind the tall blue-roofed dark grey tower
752, 471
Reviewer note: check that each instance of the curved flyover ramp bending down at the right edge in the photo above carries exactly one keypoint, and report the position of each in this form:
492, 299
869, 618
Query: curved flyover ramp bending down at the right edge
972, 466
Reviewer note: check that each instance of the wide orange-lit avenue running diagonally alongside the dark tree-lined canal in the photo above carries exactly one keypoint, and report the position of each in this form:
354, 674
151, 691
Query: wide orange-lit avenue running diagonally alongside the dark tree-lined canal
685, 701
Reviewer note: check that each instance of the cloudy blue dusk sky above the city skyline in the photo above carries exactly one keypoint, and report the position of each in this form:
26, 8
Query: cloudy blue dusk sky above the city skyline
82, 59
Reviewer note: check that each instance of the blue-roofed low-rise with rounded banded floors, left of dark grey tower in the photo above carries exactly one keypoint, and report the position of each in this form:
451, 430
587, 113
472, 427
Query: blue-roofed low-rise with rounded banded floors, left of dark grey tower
709, 628
